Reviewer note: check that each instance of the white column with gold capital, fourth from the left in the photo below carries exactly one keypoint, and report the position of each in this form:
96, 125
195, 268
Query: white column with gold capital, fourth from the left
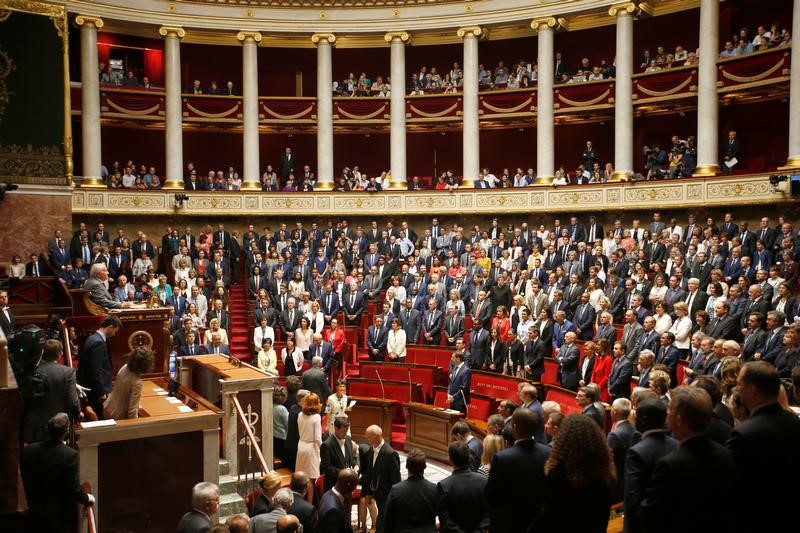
324, 42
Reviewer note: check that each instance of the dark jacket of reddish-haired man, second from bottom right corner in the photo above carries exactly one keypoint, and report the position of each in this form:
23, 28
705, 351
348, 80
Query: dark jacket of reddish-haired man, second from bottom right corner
710, 466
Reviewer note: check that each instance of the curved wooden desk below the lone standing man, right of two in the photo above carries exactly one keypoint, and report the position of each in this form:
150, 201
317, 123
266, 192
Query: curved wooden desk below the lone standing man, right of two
428, 428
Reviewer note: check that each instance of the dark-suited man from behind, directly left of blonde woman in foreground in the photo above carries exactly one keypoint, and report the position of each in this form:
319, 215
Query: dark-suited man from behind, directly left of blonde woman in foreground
462, 505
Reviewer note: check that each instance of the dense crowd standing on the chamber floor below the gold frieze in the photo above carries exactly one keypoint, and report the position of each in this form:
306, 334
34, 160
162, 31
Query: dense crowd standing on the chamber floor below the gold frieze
718, 295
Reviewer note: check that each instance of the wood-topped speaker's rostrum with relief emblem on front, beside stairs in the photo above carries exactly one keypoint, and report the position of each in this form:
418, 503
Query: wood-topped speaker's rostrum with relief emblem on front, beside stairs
218, 379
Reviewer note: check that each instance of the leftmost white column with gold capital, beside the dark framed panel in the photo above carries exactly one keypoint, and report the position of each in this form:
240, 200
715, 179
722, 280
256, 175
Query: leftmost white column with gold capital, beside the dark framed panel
91, 143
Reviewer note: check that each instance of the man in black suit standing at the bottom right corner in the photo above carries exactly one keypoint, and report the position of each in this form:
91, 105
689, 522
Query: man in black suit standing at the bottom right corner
764, 449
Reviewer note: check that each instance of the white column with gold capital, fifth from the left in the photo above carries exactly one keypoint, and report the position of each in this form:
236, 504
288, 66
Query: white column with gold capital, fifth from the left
397, 49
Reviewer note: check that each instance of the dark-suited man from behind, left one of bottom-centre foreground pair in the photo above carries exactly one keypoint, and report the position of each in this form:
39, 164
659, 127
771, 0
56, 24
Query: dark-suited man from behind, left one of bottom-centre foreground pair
411, 506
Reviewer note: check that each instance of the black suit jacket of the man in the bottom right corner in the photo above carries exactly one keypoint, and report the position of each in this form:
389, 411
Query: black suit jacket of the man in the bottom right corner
768, 428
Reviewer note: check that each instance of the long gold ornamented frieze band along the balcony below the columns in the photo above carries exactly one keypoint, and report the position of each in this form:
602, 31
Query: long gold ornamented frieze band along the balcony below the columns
708, 192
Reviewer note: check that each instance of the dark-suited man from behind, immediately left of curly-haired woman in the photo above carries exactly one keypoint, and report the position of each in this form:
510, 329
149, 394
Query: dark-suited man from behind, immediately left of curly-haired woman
516, 478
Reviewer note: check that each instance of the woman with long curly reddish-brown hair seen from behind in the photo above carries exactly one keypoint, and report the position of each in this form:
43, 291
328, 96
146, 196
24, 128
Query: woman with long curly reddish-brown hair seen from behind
579, 469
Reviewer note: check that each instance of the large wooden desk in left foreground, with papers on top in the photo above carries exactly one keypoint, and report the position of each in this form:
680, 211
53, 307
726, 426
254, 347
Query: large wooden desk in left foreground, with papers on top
142, 469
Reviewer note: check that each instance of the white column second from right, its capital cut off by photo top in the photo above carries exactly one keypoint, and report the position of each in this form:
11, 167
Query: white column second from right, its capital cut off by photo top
707, 99
